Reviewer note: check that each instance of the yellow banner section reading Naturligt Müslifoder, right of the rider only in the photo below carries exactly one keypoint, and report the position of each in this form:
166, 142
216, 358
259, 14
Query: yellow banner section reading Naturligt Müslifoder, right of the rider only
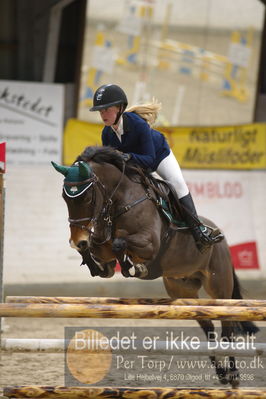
223, 147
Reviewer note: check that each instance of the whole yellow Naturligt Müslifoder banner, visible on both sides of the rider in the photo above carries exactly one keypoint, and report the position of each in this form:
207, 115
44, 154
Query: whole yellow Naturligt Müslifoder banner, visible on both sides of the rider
222, 147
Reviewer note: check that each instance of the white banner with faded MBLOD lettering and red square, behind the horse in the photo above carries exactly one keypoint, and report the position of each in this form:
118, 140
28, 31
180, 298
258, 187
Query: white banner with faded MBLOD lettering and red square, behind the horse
224, 197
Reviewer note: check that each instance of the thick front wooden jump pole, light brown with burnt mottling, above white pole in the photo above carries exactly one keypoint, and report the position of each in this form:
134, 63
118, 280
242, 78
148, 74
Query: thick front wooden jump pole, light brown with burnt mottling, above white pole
117, 311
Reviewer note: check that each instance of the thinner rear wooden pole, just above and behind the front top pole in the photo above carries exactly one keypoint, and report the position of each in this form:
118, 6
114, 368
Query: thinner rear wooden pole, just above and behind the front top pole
137, 301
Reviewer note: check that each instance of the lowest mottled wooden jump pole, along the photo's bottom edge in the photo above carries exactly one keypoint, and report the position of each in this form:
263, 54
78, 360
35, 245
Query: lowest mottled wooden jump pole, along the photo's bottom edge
58, 392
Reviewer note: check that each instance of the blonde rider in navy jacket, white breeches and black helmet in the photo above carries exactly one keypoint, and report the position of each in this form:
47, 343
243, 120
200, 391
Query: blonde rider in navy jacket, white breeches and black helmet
129, 131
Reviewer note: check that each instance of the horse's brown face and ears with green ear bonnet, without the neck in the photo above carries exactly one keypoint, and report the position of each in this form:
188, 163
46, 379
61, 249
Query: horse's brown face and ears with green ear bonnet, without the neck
79, 197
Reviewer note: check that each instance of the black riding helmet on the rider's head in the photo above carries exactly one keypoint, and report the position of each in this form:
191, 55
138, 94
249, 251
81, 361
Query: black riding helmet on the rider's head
108, 95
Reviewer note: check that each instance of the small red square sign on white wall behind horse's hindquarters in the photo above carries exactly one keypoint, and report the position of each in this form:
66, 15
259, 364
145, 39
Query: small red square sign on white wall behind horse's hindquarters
245, 255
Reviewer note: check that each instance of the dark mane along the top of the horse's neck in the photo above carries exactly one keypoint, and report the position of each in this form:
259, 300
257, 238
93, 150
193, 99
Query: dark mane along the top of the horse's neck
106, 154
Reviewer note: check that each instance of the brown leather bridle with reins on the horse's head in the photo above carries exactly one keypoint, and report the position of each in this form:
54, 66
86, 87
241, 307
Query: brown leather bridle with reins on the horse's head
105, 213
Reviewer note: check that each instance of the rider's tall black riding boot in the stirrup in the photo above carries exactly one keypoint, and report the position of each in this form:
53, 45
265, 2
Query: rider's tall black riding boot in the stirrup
203, 236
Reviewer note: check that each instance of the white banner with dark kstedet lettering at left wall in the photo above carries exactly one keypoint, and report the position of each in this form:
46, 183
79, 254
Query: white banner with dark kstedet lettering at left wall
31, 121
